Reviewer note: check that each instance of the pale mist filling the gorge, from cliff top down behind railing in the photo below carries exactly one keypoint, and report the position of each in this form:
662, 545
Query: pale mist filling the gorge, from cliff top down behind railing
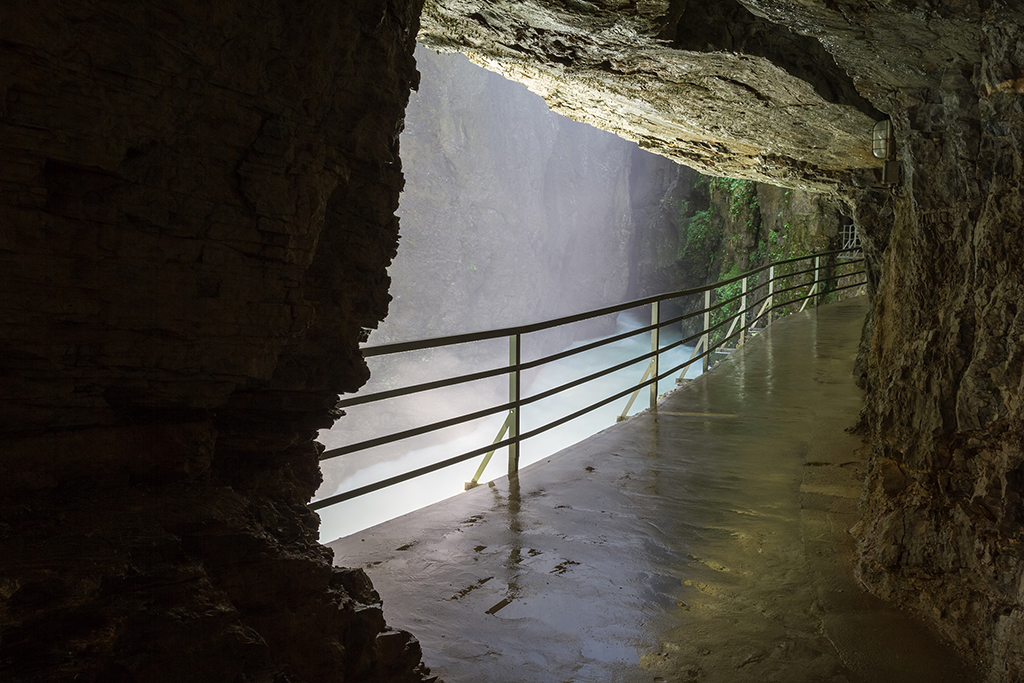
513, 215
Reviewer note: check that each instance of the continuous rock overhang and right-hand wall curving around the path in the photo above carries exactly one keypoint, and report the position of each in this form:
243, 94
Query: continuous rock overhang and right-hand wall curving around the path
788, 92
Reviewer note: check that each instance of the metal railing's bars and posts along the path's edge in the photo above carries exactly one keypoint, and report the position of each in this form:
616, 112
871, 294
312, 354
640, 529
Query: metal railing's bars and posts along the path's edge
517, 366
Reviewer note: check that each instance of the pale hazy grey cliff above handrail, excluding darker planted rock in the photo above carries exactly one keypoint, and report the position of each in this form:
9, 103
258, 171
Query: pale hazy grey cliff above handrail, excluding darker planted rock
510, 215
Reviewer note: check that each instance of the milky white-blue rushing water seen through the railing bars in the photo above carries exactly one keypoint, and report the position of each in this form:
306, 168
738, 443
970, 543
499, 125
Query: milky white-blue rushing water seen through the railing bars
353, 472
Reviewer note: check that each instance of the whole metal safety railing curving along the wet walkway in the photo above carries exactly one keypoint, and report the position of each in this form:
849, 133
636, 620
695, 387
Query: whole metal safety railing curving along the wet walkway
724, 327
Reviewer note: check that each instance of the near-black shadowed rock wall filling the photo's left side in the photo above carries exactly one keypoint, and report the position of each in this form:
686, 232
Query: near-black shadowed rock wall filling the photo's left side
197, 217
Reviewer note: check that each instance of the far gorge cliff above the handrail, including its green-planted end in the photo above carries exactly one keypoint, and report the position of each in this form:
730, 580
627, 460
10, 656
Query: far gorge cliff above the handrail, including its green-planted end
513, 215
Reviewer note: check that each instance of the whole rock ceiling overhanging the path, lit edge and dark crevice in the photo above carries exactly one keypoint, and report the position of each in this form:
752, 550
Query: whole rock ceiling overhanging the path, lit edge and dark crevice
782, 92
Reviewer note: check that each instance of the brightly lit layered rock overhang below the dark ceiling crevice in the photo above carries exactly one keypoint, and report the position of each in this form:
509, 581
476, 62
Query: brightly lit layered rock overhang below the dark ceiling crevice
709, 84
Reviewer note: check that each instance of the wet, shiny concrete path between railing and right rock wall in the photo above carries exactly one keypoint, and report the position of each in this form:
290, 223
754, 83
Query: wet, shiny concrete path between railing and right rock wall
705, 542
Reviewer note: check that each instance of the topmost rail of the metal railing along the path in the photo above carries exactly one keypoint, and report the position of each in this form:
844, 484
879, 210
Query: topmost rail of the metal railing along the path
450, 340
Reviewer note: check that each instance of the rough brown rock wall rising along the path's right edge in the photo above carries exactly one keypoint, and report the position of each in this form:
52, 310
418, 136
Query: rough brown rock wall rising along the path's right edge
944, 519
